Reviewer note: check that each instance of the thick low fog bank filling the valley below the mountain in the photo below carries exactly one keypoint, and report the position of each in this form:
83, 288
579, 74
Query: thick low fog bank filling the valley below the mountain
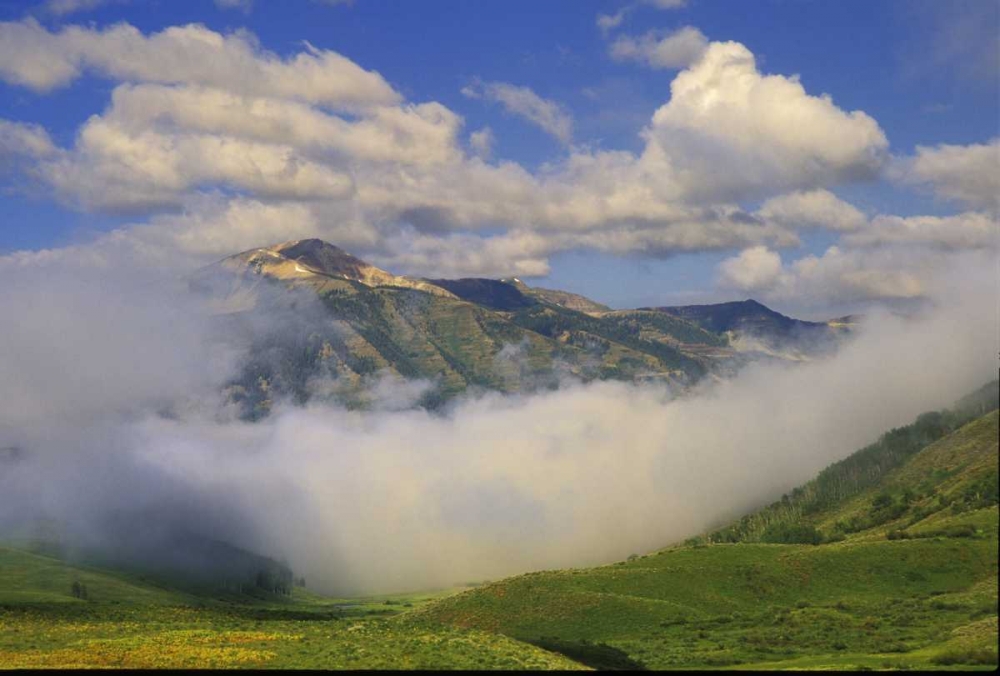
111, 389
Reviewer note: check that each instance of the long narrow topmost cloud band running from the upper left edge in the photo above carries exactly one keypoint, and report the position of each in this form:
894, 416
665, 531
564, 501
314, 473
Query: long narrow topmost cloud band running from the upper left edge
34, 57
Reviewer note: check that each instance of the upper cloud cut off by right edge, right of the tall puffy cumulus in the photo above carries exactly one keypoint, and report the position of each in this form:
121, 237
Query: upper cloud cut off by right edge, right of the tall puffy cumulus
968, 174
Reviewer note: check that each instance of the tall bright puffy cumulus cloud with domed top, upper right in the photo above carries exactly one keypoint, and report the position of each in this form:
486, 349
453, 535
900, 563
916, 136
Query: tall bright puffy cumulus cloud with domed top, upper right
729, 131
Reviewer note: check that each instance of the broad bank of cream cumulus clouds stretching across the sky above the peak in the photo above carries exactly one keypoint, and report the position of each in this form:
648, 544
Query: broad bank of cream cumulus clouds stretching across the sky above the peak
404, 185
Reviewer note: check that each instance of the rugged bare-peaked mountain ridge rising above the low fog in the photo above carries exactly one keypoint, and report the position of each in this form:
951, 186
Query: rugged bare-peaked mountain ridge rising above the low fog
318, 321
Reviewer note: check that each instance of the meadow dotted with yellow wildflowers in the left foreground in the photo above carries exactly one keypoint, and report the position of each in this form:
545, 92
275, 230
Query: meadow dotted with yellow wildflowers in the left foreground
126, 622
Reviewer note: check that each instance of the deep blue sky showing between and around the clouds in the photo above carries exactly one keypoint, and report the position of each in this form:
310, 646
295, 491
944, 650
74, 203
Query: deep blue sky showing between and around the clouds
921, 70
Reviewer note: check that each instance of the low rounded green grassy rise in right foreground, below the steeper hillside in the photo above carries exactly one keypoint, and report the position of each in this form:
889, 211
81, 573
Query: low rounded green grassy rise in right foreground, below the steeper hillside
749, 603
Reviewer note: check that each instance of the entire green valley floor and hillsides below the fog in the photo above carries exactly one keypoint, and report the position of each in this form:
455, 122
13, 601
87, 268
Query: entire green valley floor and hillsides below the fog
896, 569
